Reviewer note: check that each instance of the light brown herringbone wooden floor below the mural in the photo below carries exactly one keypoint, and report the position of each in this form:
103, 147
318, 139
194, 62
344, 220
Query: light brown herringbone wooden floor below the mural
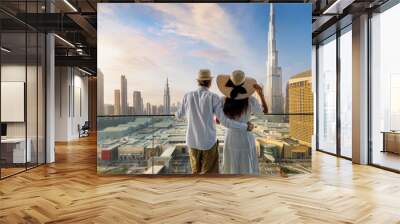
70, 191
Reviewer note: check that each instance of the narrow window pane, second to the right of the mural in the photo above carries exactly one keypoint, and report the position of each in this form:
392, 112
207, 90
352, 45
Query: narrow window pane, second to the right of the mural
346, 93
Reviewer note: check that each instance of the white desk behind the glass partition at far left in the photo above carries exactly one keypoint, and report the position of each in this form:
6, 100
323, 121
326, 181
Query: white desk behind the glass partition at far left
13, 150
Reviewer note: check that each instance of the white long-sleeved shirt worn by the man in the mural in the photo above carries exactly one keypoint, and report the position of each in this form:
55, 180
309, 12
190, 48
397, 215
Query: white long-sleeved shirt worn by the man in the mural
200, 106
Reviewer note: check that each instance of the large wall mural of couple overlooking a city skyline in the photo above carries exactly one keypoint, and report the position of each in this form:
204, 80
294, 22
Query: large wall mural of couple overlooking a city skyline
204, 88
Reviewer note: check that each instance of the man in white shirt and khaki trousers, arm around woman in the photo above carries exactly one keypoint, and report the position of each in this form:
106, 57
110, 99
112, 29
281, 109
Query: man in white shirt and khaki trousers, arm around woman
200, 106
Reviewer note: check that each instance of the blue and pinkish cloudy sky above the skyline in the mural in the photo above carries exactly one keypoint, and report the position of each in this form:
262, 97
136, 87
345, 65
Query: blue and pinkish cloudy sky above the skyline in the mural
150, 42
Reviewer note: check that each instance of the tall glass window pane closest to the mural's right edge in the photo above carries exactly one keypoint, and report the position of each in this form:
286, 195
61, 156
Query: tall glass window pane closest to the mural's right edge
327, 95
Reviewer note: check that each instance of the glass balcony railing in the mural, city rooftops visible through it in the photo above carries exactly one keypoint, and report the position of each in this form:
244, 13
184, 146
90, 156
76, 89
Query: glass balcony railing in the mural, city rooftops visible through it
155, 144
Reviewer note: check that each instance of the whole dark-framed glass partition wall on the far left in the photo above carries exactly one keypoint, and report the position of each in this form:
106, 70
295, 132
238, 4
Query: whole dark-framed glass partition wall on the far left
22, 79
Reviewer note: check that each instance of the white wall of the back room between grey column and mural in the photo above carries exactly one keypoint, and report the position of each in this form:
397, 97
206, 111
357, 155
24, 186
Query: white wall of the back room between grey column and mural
70, 83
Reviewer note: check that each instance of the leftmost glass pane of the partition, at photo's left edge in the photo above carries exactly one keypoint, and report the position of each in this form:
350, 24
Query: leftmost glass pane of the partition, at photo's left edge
13, 86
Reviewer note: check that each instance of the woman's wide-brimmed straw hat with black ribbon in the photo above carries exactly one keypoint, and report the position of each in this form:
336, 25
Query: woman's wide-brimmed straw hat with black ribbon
236, 86
